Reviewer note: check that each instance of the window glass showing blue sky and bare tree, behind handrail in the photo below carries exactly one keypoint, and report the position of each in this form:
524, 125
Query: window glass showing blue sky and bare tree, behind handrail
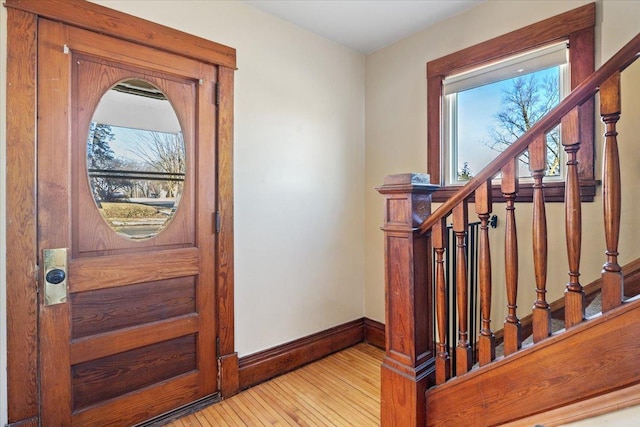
490, 118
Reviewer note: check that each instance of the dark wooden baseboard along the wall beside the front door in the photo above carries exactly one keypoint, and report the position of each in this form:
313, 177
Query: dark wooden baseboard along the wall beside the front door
262, 366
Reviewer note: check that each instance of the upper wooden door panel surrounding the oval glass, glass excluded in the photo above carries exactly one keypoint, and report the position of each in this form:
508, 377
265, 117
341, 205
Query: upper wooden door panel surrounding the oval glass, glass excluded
92, 236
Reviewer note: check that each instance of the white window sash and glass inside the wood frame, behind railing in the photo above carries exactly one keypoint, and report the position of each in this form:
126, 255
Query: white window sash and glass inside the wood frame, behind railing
486, 109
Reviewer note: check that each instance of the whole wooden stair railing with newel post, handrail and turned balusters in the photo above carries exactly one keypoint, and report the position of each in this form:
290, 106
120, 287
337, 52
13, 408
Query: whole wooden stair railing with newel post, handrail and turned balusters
415, 246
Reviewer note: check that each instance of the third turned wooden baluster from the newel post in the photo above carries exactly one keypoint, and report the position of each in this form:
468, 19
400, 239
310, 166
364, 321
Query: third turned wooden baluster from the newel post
486, 340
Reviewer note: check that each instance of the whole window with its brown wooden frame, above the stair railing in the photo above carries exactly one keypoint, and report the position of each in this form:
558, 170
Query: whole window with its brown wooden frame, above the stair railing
476, 98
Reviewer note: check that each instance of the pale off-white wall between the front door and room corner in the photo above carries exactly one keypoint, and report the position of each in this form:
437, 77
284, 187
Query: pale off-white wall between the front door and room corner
299, 166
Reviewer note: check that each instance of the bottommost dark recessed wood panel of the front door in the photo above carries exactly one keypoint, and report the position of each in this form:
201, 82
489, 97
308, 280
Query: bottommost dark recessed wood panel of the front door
113, 376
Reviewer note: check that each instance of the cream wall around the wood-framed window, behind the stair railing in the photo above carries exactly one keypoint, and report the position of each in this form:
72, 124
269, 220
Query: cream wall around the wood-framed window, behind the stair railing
396, 135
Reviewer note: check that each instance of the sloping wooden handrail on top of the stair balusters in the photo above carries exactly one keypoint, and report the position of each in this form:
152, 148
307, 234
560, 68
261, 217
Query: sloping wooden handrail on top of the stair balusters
621, 60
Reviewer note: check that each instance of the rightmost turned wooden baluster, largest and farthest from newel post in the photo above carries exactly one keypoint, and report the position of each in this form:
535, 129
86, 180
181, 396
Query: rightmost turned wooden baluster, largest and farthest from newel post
612, 278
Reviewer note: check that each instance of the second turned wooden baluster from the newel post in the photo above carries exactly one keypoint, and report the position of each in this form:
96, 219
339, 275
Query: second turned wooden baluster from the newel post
463, 350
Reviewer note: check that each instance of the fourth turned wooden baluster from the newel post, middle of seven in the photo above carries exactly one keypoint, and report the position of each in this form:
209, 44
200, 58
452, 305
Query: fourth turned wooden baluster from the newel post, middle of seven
509, 187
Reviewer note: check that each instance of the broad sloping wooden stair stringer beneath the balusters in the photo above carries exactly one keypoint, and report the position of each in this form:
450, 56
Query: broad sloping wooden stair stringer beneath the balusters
591, 359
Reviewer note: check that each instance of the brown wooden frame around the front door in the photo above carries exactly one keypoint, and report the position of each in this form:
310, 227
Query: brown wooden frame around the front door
22, 253
